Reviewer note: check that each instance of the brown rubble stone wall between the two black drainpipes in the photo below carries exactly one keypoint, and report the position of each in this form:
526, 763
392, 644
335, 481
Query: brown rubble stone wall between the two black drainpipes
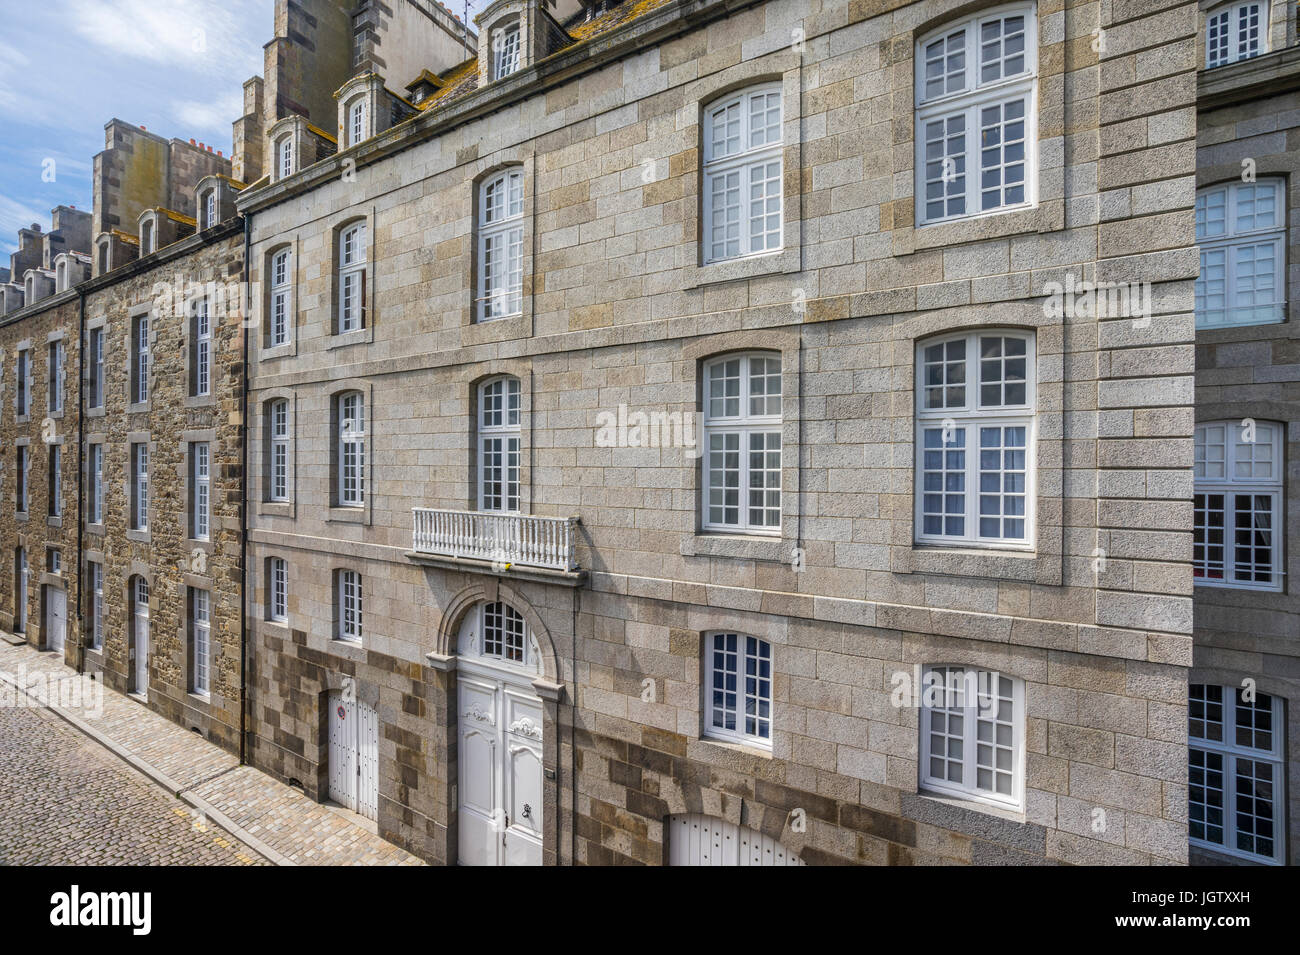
166, 557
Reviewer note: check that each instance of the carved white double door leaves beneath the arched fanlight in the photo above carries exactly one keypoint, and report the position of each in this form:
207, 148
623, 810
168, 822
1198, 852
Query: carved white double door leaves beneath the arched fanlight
501, 771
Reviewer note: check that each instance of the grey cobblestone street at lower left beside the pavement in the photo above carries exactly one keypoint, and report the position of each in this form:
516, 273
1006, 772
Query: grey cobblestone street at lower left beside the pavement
64, 801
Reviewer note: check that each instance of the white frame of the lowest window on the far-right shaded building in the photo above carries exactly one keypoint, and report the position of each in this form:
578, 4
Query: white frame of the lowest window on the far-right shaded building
1230, 752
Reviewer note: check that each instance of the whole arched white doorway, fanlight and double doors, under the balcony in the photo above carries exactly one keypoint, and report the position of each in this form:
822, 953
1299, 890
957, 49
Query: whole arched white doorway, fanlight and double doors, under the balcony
500, 757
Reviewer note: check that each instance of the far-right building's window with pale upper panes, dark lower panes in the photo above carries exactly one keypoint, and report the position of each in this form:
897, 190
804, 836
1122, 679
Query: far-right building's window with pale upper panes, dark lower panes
1237, 535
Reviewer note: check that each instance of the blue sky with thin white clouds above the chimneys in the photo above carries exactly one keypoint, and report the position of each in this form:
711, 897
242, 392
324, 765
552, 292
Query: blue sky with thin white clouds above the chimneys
68, 67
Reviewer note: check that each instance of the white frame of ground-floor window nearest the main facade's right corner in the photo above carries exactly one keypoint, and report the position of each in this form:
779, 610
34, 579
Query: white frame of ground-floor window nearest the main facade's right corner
948, 691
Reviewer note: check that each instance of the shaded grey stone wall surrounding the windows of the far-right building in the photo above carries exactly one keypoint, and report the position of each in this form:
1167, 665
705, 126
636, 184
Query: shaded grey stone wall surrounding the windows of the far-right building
1255, 374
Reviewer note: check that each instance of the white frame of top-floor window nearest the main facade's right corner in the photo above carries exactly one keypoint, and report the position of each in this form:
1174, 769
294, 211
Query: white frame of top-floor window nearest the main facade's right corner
968, 102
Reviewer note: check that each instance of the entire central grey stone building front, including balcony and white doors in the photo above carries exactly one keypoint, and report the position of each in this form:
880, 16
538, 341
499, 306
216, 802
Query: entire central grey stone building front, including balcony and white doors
489, 665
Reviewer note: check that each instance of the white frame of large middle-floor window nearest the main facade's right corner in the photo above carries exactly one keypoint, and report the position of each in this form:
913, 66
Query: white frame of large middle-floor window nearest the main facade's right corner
965, 422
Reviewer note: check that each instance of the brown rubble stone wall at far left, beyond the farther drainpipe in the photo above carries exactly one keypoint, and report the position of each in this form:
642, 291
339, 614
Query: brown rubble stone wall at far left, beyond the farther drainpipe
33, 329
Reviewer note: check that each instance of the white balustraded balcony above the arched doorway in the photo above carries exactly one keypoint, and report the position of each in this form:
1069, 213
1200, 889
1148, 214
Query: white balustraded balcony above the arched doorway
502, 540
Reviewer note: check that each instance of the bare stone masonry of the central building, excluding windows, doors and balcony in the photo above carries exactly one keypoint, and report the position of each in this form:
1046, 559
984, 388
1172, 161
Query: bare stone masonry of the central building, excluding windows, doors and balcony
618, 312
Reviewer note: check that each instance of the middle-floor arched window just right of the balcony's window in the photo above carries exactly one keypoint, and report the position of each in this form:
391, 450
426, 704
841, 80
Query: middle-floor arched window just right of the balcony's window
743, 444
